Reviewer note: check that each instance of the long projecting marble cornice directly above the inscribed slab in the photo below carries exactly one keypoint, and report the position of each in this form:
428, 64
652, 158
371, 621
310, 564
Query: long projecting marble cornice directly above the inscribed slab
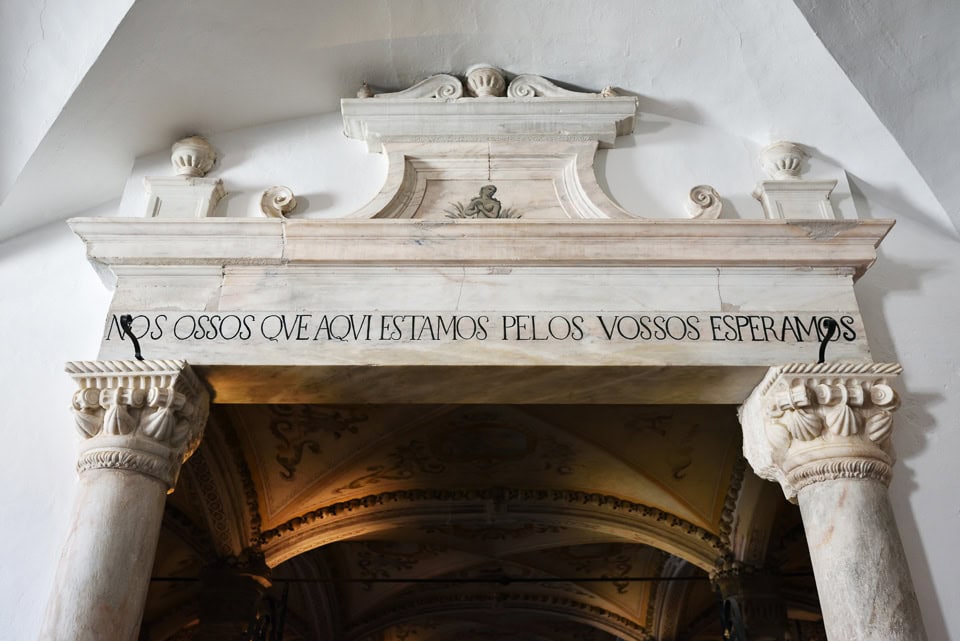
849, 245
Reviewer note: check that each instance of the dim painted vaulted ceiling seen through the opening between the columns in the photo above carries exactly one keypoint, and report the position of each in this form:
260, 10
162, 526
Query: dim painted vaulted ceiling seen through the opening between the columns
444, 522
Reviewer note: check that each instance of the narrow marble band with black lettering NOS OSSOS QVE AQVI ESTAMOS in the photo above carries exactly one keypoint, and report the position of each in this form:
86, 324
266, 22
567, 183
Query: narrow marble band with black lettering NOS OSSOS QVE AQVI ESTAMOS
372, 337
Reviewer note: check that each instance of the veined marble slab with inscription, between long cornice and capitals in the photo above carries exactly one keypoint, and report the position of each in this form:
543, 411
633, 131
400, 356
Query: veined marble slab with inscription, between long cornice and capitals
448, 316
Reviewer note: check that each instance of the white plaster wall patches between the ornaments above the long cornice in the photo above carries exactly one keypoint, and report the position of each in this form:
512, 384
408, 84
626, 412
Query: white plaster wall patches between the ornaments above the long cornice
649, 173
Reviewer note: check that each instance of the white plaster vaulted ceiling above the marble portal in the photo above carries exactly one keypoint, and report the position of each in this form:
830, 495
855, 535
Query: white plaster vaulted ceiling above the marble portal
871, 92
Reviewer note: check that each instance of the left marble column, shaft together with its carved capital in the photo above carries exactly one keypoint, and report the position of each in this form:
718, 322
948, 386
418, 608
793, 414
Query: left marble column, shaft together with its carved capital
140, 420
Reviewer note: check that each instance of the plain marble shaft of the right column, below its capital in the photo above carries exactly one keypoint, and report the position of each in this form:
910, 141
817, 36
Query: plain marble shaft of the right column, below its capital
862, 576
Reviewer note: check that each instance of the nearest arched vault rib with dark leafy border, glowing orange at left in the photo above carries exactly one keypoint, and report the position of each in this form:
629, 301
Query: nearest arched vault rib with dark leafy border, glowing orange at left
597, 513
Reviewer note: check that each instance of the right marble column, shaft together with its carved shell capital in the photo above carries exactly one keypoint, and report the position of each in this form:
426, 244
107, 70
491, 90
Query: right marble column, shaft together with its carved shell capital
823, 432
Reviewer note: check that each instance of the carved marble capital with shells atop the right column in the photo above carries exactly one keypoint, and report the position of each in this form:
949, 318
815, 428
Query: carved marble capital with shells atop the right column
807, 423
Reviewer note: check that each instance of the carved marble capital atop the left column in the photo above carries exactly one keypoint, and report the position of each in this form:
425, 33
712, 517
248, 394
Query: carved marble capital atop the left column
143, 416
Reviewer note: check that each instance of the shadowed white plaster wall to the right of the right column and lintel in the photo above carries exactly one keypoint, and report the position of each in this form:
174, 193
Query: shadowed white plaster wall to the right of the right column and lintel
910, 308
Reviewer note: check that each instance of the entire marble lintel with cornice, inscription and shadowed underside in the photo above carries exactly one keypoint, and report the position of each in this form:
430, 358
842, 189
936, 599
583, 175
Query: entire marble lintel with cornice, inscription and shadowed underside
557, 311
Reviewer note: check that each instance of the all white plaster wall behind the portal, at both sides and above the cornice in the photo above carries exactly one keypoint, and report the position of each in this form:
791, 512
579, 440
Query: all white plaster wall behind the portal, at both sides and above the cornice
53, 306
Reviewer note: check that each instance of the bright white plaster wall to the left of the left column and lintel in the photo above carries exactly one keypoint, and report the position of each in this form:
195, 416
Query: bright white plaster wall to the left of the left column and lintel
51, 310
